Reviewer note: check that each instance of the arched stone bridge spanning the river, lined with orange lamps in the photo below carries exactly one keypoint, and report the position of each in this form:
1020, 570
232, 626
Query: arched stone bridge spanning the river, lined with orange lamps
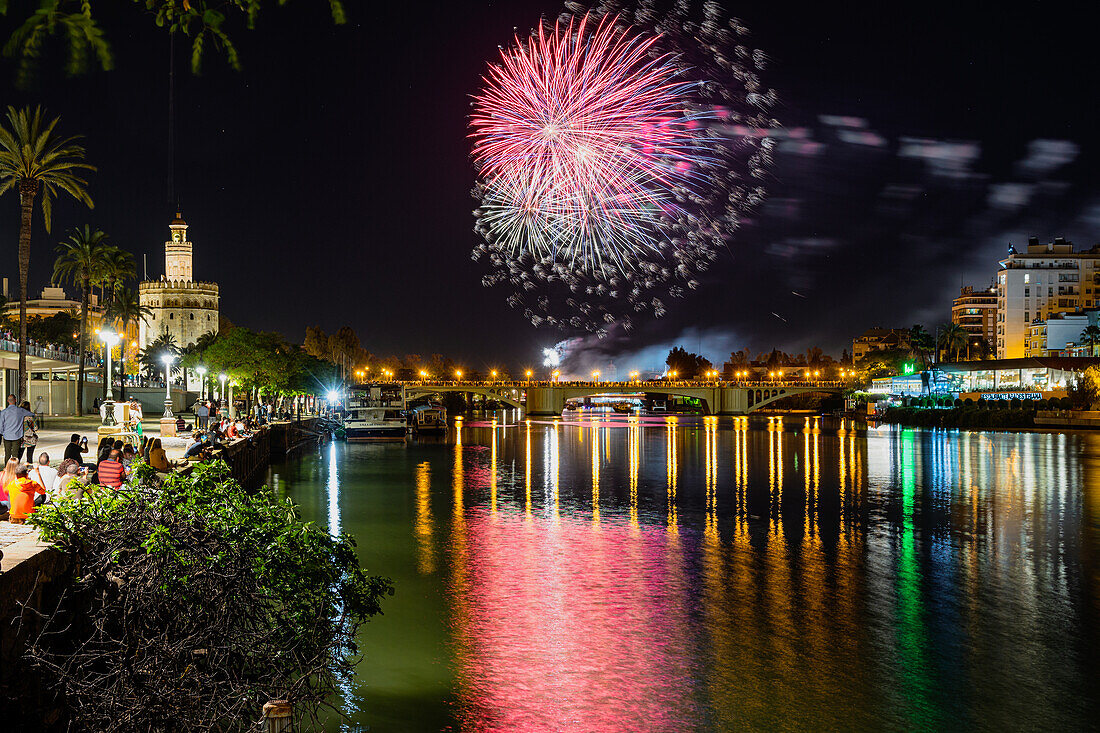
549, 398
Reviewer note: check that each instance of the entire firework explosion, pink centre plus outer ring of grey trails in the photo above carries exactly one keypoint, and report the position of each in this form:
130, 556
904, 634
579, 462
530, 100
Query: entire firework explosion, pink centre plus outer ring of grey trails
615, 160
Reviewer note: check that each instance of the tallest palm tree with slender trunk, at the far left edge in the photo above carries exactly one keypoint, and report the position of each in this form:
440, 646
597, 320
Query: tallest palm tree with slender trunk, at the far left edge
34, 160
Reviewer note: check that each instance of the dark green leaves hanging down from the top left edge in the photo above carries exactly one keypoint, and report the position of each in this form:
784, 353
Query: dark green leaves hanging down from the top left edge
203, 21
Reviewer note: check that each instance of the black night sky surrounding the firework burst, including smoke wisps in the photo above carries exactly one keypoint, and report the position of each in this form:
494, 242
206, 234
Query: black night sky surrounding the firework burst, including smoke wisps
329, 182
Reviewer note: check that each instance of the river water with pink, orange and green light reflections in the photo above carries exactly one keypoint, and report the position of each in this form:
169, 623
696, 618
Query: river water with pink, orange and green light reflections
652, 574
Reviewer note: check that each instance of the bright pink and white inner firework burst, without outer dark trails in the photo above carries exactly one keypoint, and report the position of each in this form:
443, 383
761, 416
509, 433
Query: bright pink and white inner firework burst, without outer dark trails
585, 145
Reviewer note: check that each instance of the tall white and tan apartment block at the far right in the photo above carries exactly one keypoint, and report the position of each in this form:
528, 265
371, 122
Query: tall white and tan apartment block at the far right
1048, 279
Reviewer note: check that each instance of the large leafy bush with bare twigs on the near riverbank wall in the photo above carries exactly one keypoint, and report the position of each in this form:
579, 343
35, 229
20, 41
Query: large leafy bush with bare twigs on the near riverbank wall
195, 603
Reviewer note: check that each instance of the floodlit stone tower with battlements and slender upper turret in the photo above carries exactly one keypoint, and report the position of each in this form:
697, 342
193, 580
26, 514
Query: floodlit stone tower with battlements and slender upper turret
181, 307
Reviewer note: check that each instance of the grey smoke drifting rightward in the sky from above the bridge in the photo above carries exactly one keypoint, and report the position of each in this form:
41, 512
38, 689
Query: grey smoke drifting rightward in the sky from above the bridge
862, 228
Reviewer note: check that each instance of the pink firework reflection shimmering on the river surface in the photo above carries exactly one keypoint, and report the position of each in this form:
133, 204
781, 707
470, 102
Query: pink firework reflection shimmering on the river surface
570, 627
